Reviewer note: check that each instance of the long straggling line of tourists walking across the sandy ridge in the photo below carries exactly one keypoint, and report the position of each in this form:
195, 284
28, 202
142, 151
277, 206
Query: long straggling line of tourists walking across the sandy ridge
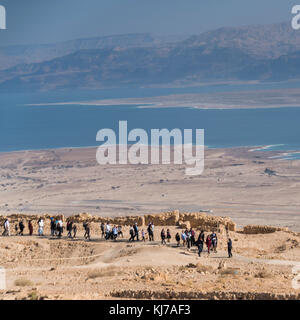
108, 232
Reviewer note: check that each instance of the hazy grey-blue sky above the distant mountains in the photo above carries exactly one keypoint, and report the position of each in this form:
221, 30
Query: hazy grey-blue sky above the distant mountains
43, 21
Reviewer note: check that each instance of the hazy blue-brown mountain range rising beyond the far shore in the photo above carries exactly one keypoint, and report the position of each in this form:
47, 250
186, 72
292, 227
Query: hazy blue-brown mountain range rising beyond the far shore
247, 53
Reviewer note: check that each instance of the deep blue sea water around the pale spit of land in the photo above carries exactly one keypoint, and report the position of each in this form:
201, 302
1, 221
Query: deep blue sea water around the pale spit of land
41, 127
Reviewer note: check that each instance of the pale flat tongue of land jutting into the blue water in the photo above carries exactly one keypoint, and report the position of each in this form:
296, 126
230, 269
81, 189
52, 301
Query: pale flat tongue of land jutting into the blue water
260, 99
